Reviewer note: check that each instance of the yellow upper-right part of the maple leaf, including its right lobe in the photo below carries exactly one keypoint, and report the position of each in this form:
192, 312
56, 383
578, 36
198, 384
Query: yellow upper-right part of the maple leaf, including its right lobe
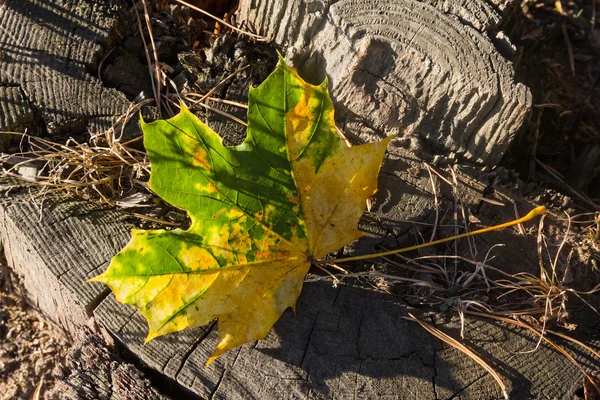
333, 189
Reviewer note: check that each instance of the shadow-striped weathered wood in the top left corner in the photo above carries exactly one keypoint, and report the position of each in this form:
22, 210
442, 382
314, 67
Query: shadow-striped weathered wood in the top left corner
50, 50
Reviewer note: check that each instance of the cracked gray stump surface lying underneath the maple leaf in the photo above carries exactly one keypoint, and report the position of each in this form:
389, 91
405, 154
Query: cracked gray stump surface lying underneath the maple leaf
342, 342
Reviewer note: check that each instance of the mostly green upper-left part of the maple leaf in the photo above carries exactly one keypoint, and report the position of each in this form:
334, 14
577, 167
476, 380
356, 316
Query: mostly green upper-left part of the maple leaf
190, 166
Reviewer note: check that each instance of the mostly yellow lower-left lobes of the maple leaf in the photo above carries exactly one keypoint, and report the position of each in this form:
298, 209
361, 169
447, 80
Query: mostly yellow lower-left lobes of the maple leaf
246, 297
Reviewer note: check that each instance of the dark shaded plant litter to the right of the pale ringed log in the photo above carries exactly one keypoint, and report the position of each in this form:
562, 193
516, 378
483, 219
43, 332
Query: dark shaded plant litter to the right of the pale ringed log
559, 57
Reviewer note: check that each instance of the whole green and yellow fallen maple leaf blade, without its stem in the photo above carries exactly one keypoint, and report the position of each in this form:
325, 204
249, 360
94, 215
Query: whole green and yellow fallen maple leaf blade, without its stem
260, 213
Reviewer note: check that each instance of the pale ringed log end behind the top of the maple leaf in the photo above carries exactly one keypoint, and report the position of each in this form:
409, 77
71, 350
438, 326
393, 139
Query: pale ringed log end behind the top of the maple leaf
427, 69
